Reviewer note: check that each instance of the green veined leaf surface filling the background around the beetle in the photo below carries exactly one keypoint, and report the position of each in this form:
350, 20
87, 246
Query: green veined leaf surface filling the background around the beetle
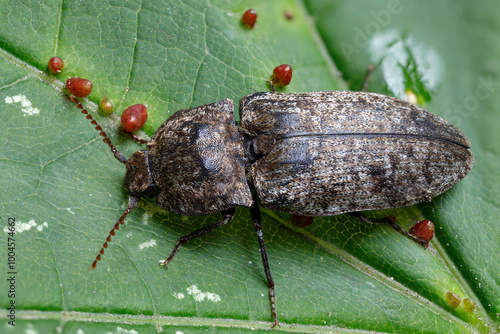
65, 189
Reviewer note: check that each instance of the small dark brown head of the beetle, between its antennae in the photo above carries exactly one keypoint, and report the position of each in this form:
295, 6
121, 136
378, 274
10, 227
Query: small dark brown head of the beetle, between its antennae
138, 178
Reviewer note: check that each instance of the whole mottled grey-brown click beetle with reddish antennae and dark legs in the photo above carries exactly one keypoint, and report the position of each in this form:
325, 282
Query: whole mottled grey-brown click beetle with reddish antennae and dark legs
309, 154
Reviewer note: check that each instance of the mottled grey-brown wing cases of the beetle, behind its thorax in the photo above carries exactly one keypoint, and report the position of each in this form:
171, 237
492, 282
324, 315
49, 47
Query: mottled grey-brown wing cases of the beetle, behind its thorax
326, 153
